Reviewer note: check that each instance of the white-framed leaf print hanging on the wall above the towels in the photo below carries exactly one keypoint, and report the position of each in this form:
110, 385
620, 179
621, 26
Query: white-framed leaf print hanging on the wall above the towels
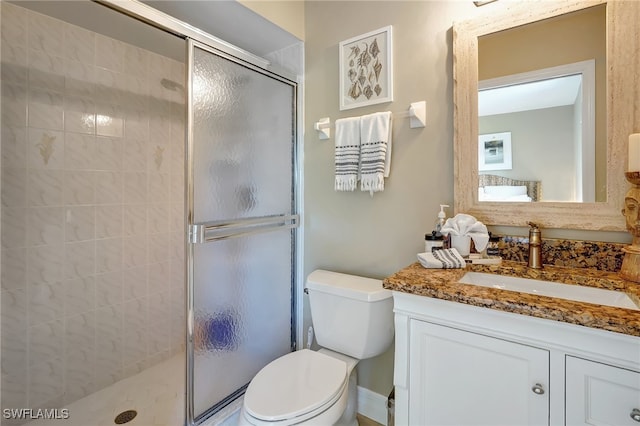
366, 69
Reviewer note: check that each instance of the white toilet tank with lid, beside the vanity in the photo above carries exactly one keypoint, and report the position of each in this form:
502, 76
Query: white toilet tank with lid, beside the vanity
352, 315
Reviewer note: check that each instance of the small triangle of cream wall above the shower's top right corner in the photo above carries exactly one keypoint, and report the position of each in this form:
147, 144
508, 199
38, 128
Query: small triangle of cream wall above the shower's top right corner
288, 15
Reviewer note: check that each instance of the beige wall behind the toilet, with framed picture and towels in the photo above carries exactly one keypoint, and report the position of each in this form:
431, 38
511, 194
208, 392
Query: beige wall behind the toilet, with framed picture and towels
353, 232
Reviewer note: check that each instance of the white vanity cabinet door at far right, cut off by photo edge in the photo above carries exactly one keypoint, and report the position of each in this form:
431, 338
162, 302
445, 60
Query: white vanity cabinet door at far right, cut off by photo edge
599, 394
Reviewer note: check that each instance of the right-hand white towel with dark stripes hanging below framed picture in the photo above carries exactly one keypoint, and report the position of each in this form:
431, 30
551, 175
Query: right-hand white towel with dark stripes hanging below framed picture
375, 150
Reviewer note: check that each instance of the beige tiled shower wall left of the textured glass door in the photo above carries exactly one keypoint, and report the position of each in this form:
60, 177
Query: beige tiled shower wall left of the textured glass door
92, 210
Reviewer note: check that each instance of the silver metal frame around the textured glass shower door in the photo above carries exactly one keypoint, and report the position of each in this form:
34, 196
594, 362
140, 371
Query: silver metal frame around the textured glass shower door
147, 14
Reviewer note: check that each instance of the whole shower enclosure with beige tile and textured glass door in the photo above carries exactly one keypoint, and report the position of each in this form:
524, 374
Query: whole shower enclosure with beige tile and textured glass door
98, 188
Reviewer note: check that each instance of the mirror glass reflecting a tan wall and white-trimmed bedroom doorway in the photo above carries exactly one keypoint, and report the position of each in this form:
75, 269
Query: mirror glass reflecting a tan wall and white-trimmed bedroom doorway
538, 82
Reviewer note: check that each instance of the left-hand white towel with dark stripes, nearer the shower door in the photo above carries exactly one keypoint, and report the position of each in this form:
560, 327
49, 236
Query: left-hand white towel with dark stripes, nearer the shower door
347, 153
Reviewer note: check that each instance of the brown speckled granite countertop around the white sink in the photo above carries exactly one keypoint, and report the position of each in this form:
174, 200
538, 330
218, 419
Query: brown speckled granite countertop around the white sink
443, 284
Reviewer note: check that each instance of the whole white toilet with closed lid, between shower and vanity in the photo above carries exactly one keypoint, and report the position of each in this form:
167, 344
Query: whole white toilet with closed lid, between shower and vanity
353, 319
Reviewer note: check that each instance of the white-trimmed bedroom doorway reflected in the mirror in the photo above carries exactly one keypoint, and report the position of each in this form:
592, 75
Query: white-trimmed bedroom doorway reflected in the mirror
549, 112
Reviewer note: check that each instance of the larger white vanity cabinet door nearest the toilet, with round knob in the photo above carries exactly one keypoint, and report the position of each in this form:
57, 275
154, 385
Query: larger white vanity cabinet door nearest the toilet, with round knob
462, 378
